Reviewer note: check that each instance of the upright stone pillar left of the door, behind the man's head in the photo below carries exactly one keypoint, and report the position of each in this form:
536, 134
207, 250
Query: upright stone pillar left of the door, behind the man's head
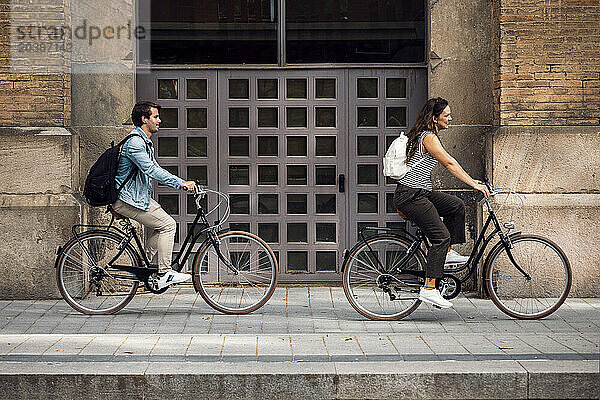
103, 81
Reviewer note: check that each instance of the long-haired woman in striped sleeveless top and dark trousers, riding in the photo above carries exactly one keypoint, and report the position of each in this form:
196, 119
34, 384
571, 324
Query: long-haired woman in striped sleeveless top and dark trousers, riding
423, 206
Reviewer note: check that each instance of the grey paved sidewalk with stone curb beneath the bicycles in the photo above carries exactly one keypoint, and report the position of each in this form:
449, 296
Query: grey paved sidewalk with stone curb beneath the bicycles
307, 342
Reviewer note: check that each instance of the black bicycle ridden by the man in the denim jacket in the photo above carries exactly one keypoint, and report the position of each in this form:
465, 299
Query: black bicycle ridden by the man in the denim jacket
98, 271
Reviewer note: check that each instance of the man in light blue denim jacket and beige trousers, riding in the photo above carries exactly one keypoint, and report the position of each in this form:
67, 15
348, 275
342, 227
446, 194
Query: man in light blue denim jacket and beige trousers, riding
135, 198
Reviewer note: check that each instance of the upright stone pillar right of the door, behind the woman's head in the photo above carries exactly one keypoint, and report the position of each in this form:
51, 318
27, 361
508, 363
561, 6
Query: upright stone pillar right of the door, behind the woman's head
461, 37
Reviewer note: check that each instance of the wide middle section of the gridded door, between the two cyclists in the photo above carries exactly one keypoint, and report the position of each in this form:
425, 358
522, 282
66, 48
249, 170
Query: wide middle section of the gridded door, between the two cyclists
293, 167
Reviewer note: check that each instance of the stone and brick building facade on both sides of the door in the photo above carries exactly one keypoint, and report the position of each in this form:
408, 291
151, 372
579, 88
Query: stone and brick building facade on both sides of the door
521, 76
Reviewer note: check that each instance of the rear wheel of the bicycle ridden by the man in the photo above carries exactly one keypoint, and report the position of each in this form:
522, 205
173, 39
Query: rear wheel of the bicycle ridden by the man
87, 281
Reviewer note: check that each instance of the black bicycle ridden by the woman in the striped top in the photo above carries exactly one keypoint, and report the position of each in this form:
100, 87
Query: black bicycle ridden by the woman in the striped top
526, 276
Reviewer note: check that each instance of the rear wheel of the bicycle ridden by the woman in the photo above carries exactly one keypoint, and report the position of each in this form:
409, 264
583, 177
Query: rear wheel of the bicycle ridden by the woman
371, 285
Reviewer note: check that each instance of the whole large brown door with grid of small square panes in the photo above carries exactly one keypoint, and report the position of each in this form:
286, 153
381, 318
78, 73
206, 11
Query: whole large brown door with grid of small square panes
279, 142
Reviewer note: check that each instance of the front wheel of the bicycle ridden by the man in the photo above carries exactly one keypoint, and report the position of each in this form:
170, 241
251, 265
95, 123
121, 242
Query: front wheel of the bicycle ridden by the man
238, 276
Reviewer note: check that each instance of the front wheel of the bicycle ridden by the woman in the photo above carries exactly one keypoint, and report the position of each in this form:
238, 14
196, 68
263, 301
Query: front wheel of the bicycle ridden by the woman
540, 289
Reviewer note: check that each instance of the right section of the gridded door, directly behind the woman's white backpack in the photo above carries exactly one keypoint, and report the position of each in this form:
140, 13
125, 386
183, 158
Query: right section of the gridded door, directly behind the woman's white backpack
382, 103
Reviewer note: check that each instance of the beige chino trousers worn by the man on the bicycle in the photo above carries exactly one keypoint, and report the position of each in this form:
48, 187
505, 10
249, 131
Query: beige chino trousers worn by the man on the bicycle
162, 225
